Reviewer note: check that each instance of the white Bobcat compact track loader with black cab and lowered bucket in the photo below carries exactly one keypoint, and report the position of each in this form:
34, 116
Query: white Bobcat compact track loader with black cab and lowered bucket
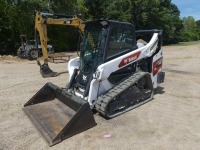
113, 75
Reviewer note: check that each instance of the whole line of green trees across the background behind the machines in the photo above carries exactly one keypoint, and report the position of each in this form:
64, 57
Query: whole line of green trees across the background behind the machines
17, 17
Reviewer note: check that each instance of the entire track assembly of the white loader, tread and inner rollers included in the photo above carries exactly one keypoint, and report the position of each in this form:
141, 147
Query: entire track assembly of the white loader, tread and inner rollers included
129, 94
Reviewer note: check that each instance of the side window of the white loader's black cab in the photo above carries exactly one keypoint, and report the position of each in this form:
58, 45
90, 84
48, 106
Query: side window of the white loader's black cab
121, 39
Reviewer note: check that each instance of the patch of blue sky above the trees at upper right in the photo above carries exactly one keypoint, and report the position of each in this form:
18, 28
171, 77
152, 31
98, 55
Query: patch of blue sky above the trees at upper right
188, 8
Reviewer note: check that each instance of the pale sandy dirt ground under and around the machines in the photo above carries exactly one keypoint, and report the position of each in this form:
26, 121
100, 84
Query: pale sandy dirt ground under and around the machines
170, 121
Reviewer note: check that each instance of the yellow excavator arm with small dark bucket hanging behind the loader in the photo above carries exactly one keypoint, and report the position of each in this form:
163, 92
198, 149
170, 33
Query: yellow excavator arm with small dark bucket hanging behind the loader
41, 22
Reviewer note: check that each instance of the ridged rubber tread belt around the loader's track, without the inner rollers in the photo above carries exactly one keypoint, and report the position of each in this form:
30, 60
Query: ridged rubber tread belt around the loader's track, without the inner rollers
104, 100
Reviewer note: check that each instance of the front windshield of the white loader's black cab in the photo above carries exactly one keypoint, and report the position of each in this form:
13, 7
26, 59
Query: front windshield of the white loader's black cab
91, 48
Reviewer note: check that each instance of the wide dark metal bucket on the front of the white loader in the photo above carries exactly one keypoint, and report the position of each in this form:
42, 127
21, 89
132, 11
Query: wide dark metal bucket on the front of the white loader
57, 114
